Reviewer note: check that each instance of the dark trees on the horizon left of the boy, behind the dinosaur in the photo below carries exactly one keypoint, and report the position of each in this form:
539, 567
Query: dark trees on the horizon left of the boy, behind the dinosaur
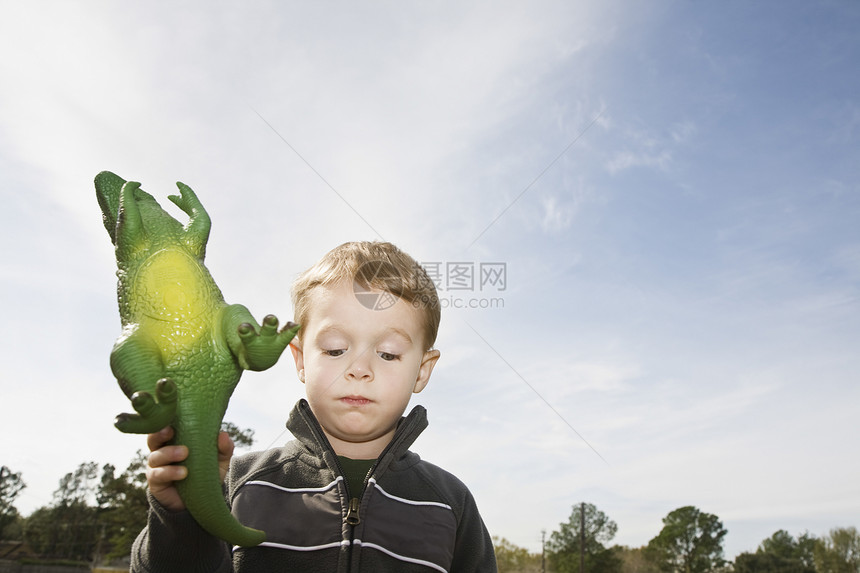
95, 514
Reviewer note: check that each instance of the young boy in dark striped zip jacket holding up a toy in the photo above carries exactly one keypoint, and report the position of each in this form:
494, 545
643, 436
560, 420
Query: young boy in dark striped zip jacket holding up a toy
347, 494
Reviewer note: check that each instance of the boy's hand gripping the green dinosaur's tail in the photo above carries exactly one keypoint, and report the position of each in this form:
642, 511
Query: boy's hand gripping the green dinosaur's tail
161, 473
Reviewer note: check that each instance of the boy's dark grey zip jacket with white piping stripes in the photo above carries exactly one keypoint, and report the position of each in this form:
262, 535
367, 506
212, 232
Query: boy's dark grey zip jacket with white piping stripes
412, 517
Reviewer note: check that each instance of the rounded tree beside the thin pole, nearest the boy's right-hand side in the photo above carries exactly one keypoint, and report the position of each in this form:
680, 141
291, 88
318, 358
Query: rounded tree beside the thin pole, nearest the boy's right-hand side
565, 546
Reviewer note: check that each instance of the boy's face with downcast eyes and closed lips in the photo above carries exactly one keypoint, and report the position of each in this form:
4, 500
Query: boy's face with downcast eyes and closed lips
360, 367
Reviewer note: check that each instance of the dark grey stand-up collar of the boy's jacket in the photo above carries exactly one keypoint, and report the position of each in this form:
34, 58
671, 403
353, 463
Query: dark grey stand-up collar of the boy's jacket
305, 427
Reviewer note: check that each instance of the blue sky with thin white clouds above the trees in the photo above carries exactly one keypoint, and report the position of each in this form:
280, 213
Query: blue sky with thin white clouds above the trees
644, 219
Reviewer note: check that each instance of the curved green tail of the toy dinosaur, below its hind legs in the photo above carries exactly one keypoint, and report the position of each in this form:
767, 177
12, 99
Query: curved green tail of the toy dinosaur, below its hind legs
203, 496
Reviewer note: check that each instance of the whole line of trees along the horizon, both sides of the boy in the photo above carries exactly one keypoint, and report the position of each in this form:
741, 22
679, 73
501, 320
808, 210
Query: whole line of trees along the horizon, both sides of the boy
96, 513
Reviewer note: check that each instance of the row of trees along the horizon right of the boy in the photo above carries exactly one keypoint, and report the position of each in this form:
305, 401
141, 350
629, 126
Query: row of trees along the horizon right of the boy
691, 541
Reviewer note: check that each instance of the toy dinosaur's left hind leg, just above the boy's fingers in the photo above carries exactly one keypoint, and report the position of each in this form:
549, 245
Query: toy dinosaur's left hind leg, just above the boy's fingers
136, 363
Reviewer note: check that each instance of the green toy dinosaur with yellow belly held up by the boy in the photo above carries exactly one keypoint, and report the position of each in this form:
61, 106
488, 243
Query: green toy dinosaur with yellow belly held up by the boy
182, 349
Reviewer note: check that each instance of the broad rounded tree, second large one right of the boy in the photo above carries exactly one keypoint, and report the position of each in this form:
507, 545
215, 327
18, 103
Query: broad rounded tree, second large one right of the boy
691, 541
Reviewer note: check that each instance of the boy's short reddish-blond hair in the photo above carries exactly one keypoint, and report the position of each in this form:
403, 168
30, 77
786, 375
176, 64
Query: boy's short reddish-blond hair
371, 266
